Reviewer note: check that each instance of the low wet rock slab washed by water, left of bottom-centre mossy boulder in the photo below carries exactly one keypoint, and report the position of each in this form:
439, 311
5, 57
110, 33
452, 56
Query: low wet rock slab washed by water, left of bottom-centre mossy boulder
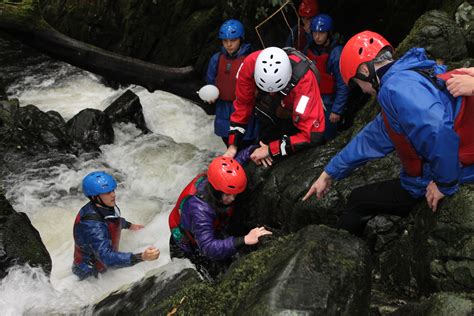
146, 293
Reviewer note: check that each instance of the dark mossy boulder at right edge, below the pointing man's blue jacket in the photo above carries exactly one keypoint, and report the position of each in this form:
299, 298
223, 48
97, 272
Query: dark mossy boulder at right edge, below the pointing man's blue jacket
436, 251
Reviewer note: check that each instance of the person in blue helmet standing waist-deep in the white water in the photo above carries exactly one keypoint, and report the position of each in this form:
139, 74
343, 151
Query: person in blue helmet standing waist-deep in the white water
97, 230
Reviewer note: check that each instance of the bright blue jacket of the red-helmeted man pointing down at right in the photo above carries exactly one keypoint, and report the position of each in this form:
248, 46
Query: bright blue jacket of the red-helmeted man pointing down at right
415, 107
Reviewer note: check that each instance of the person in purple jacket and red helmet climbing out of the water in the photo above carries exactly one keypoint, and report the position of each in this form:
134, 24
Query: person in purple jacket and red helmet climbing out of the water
200, 219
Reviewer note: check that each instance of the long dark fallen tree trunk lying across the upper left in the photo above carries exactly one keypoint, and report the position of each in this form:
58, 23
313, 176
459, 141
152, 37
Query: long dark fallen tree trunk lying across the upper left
24, 20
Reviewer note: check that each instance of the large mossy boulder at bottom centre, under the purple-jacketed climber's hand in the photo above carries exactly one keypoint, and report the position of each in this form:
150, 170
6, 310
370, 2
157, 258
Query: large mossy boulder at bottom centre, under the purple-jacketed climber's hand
318, 271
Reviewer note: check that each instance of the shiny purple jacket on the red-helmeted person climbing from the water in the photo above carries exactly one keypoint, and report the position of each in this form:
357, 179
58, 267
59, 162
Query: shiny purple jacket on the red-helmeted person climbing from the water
198, 217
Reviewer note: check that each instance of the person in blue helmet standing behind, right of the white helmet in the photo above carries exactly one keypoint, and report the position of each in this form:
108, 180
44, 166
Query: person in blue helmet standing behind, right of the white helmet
325, 50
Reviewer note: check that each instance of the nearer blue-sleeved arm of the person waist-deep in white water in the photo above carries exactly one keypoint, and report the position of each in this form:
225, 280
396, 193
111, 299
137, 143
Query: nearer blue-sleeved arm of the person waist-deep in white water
99, 240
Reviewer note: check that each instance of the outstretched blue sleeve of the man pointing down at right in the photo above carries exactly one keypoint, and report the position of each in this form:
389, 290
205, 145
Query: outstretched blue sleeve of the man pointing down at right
371, 143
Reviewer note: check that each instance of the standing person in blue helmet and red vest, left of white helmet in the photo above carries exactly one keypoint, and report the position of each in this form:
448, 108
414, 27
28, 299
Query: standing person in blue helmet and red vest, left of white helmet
221, 72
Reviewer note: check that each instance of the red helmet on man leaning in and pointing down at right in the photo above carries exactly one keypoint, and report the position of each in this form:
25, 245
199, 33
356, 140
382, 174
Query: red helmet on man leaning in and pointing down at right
361, 48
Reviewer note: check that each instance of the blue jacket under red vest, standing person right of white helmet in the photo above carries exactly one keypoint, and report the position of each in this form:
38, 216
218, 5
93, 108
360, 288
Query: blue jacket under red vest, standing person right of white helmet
334, 103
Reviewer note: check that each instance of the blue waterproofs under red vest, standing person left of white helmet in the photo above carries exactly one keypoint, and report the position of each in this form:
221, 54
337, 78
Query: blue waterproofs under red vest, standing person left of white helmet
224, 108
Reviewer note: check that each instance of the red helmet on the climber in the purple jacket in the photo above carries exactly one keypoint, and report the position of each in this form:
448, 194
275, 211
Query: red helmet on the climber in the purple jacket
227, 175
